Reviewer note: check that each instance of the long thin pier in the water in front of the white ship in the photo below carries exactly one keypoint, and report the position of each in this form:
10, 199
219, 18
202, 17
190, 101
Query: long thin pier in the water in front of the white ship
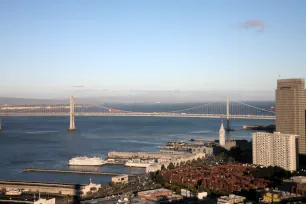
74, 172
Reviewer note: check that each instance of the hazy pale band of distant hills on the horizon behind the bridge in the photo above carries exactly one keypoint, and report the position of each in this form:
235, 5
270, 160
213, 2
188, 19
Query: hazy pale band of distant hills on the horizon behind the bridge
135, 96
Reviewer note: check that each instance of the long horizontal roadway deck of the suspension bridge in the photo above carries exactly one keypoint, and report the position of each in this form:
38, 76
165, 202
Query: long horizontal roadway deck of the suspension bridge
140, 114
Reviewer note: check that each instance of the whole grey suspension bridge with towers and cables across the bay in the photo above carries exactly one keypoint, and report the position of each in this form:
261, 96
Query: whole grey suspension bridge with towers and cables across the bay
224, 109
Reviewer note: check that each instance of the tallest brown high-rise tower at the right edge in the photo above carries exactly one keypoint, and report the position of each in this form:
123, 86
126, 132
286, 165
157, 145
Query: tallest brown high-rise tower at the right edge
291, 109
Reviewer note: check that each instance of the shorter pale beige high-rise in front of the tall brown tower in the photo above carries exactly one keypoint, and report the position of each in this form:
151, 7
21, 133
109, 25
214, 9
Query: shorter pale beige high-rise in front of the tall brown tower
275, 149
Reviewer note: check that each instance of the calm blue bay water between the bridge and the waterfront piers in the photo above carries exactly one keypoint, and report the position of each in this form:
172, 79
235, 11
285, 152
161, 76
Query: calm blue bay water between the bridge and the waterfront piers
43, 142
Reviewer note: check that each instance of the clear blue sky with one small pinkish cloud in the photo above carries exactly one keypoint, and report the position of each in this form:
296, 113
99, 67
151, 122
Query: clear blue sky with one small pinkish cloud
56, 48
